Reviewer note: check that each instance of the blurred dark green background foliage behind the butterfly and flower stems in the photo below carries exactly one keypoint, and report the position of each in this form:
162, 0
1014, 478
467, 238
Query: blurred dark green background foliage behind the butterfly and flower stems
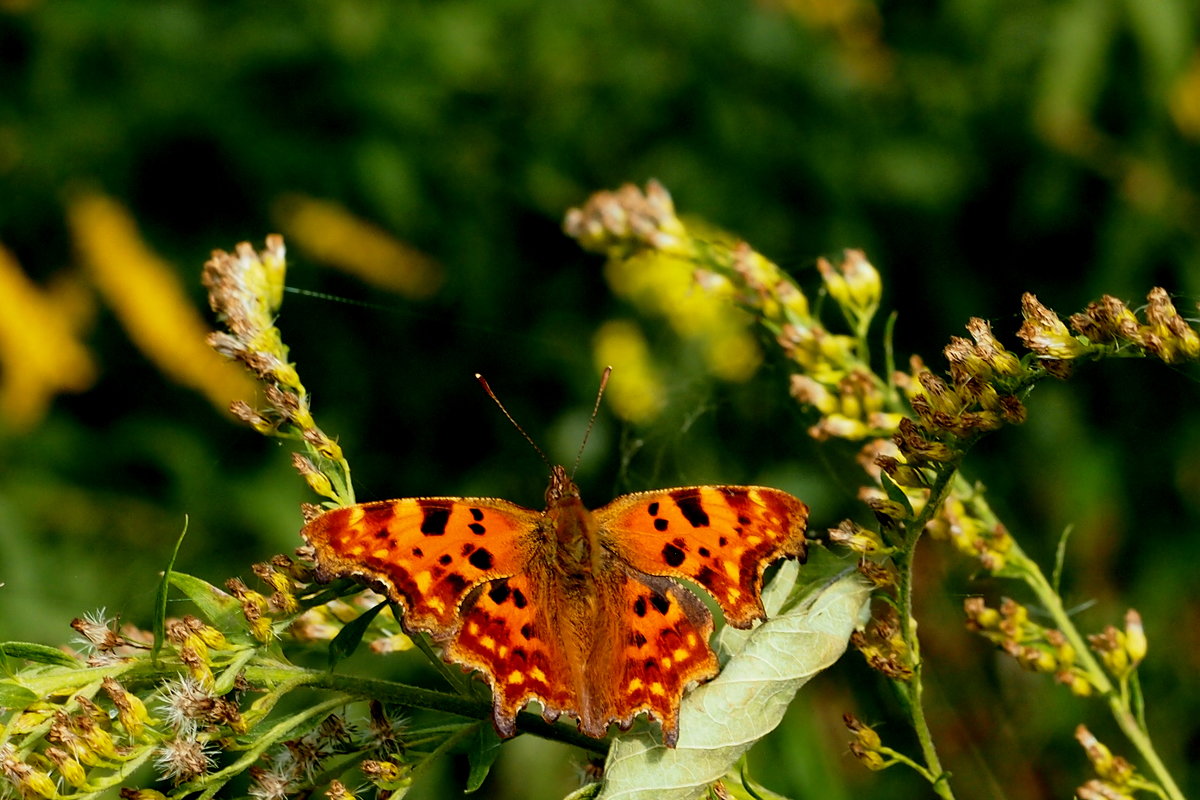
976, 149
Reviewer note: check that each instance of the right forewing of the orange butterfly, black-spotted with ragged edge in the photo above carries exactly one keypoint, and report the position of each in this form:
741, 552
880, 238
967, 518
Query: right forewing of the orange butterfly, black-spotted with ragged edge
721, 538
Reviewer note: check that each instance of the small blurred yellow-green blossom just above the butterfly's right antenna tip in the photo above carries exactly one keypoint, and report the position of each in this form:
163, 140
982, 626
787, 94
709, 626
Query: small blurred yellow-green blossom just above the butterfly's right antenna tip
635, 394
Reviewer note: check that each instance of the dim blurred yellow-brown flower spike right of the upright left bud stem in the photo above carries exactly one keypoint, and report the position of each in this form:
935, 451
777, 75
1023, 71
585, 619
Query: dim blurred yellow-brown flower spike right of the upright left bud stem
332, 234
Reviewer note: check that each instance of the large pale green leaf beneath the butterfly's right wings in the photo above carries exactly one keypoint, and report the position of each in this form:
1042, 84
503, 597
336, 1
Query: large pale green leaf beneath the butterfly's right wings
725, 718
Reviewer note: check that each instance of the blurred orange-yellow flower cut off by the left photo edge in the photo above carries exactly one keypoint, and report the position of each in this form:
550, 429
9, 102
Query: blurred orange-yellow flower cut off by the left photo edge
40, 353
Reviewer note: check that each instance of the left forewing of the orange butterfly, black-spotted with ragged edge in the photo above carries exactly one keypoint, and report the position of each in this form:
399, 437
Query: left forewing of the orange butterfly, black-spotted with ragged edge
428, 554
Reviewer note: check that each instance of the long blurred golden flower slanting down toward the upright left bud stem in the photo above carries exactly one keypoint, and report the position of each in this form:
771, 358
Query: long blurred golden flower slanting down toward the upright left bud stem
149, 300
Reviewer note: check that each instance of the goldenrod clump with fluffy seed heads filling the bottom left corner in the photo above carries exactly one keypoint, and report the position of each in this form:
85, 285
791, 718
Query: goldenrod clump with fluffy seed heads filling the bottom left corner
87, 723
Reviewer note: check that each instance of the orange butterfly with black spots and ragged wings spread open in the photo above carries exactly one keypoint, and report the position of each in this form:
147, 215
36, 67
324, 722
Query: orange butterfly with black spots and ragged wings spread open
578, 610
